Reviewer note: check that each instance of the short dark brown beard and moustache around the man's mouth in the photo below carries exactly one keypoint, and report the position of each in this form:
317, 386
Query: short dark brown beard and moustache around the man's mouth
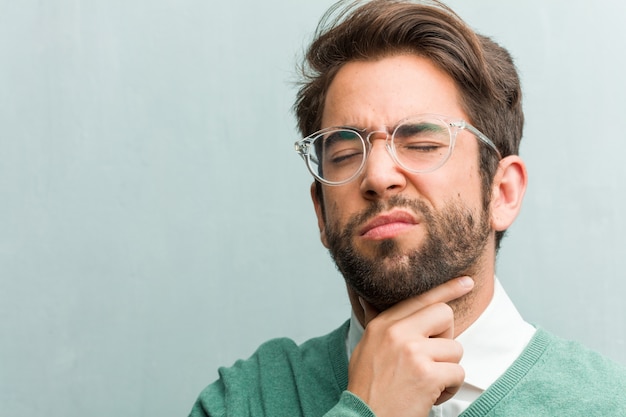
453, 246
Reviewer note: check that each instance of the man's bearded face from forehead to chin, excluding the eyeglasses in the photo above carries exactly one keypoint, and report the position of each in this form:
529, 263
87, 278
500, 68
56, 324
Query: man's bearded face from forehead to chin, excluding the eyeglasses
394, 234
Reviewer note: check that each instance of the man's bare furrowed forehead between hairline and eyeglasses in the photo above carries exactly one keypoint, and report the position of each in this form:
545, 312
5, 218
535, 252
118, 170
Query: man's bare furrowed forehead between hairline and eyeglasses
376, 93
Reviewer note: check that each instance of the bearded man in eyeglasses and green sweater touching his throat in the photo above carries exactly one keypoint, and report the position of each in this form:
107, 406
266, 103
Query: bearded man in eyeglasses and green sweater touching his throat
412, 125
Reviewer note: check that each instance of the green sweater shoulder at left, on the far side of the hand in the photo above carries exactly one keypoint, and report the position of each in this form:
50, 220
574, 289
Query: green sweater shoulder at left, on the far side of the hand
281, 378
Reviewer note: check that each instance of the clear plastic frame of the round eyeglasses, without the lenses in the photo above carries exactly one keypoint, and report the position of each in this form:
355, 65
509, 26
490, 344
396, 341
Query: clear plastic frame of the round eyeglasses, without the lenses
303, 146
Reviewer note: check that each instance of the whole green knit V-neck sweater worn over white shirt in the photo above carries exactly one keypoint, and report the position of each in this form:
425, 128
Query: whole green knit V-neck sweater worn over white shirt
552, 377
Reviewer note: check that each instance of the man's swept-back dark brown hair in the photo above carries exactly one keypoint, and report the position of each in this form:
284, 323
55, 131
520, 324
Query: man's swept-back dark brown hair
483, 71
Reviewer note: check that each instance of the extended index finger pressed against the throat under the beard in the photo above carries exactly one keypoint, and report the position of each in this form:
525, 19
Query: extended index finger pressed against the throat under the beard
444, 293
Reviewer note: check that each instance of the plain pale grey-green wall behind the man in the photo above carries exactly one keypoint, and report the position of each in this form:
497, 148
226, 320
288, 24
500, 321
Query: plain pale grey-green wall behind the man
155, 222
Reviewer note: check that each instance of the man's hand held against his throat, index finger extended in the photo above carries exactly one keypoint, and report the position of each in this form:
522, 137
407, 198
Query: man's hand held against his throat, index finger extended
408, 360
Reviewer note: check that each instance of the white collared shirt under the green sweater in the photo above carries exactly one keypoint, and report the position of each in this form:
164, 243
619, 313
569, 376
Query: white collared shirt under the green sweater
490, 345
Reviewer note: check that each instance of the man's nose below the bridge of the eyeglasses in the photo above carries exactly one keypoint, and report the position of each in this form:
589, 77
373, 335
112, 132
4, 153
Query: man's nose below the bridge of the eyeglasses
382, 177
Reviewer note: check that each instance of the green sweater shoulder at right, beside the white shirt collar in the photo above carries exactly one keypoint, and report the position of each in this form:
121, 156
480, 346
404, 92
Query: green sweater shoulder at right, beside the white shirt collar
555, 376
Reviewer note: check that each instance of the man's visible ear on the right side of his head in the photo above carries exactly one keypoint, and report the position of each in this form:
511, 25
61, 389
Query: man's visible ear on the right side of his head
507, 193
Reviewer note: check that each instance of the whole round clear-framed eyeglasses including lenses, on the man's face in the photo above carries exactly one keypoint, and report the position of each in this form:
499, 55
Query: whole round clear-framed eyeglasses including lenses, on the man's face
418, 144
